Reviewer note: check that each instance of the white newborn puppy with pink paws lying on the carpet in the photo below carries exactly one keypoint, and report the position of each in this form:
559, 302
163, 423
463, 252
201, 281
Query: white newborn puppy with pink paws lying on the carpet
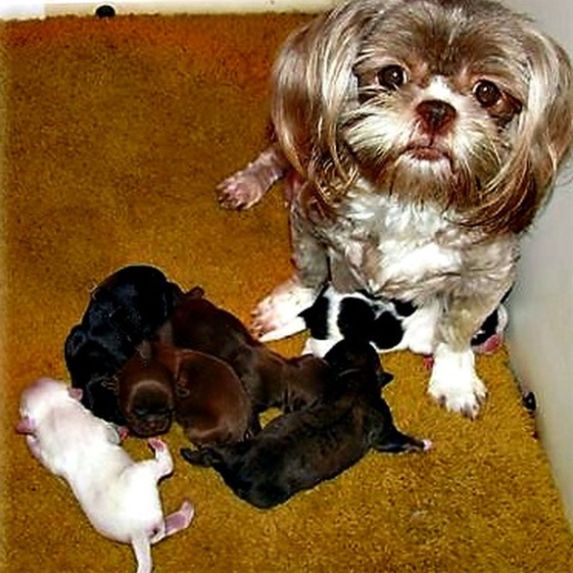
120, 497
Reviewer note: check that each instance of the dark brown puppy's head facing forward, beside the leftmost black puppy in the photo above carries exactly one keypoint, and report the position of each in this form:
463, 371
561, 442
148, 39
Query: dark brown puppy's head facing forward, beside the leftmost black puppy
146, 394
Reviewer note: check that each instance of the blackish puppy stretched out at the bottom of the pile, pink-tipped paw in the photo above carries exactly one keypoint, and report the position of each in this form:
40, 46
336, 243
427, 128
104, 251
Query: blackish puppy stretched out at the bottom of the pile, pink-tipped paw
299, 450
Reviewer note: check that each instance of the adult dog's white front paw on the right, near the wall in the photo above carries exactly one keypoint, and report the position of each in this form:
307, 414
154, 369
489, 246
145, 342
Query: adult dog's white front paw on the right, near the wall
454, 382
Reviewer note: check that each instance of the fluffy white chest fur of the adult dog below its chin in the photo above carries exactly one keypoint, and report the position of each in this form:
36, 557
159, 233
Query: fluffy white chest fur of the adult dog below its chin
394, 248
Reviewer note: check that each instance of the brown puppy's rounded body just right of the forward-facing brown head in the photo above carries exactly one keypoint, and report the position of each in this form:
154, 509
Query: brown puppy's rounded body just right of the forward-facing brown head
211, 403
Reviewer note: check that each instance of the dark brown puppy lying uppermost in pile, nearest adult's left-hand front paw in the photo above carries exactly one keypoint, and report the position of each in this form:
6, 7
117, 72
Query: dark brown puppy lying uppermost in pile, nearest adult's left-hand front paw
270, 379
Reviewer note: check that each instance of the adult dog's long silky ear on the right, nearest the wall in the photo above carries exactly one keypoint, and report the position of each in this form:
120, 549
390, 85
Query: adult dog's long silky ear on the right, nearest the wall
544, 136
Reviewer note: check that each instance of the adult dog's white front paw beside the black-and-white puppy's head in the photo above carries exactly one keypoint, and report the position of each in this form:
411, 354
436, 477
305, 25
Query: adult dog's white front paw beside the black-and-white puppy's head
277, 316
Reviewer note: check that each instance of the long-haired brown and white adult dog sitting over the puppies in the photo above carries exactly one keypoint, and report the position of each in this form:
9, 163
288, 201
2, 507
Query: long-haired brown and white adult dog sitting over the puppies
424, 136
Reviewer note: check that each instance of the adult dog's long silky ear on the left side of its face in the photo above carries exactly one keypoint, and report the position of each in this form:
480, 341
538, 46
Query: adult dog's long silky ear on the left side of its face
313, 82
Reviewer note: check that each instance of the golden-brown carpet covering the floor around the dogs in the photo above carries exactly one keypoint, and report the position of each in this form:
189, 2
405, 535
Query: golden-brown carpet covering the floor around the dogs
116, 133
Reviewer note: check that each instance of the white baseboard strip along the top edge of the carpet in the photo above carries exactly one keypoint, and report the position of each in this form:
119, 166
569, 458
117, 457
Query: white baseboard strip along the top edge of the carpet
26, 9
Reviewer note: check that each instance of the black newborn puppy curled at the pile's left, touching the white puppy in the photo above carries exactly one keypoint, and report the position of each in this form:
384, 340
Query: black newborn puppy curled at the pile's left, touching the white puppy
124, 309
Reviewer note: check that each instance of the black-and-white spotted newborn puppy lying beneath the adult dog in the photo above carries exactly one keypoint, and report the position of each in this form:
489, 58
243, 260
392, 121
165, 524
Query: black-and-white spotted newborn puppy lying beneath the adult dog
388, 324
